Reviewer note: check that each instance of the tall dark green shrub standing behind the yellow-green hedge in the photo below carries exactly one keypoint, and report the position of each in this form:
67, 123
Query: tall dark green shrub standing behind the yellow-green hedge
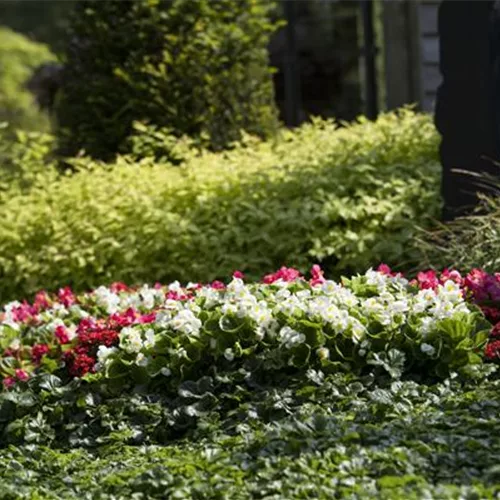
197, 67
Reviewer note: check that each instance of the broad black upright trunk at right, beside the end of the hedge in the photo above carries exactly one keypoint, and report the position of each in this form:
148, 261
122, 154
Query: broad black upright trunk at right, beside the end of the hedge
465, 109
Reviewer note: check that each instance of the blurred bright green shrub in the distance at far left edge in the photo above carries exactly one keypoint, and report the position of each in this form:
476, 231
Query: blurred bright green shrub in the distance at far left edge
19, 57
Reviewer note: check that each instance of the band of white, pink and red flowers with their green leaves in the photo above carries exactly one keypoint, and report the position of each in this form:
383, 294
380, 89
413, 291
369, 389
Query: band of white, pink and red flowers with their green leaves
165, 335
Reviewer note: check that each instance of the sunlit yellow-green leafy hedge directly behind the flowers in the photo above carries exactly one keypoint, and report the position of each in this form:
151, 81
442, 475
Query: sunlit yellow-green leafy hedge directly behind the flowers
348, 198
